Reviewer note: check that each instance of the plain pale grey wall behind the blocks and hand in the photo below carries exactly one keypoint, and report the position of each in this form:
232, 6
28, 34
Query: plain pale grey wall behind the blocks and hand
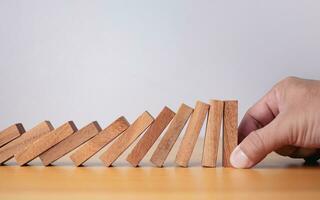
97, 60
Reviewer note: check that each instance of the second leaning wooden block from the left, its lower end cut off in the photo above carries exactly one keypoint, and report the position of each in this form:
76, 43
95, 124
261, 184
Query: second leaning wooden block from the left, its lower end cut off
7, 151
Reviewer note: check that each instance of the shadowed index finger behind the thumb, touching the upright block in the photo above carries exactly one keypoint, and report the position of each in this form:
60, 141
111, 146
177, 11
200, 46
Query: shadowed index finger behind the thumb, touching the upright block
259, 115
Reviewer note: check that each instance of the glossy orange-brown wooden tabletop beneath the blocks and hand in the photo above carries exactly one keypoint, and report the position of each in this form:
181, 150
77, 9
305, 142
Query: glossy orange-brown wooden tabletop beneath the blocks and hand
276, 177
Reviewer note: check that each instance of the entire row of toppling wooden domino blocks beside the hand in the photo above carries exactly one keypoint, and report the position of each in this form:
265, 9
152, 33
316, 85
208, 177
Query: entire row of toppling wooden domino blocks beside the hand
50, 144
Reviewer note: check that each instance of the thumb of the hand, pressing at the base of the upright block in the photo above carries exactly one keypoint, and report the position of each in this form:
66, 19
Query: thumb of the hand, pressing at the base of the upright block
259, 143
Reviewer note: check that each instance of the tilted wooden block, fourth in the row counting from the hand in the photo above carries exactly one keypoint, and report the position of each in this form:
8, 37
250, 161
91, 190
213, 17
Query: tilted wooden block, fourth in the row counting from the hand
170, 137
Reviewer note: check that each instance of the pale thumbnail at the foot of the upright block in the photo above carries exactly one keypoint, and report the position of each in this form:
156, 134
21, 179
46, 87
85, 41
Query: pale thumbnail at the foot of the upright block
239, 159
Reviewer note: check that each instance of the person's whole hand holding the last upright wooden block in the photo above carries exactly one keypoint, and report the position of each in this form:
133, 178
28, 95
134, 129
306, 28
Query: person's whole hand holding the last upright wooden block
285, 120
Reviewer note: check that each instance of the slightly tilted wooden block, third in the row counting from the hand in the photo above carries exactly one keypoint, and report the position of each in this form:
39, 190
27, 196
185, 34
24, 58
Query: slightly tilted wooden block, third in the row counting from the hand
193, 130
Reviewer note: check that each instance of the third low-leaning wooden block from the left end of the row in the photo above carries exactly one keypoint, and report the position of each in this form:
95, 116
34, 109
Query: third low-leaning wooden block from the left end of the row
44, 143
